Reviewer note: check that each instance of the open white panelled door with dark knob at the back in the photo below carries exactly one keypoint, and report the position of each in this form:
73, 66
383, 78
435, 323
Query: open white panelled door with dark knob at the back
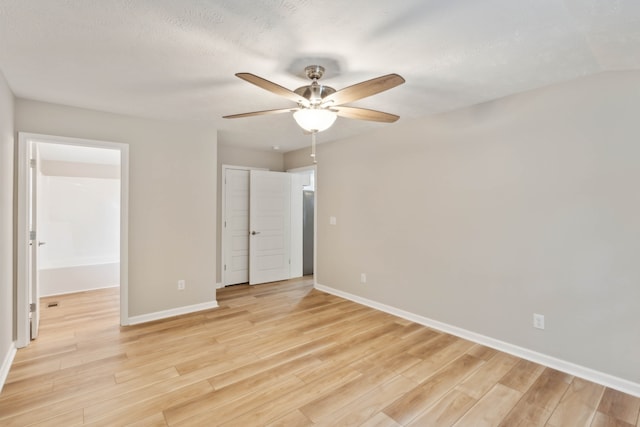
270, 227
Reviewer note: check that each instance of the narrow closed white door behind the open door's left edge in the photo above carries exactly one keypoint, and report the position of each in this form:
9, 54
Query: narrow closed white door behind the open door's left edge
236, 226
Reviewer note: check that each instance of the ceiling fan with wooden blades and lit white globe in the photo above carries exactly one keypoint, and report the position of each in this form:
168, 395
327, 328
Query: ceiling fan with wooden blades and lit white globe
318, 105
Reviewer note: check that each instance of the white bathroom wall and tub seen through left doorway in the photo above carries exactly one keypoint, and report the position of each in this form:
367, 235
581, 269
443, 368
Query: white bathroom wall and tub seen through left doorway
78, 218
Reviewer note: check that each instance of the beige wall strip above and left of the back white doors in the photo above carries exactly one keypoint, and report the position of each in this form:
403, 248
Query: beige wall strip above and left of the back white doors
236, 156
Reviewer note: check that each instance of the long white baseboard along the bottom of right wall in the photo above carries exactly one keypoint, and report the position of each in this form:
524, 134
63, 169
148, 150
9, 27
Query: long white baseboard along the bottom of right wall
602, 378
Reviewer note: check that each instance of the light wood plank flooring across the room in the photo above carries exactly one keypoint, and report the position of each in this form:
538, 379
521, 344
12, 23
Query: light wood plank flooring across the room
283, 354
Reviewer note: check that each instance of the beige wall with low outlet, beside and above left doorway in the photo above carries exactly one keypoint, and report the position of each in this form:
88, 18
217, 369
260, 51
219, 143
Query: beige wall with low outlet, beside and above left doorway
172, 198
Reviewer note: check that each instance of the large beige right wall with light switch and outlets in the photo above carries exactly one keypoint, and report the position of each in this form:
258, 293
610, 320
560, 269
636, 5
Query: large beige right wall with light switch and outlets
481, 217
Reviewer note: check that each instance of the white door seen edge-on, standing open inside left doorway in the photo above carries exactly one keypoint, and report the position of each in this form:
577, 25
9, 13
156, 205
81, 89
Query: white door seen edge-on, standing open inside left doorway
34, 242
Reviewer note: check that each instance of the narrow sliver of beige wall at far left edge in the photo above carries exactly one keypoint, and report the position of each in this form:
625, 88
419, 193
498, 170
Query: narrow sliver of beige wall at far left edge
7, 312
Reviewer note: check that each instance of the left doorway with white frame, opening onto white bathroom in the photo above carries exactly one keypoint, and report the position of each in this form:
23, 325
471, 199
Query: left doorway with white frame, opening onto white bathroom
73, 197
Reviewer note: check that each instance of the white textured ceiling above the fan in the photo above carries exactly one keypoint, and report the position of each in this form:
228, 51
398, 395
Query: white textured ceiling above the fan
176, 59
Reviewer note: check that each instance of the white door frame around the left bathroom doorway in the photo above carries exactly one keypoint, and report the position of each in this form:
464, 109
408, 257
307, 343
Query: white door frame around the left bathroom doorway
22, 229
